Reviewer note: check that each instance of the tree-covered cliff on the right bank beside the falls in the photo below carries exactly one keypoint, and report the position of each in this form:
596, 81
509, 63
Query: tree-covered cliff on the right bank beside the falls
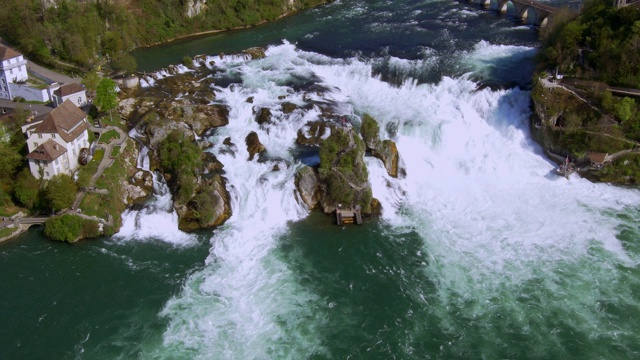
578, 113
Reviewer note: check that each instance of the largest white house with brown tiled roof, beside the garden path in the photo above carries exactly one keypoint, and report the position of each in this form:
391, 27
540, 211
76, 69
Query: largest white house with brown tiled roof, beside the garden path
55, 140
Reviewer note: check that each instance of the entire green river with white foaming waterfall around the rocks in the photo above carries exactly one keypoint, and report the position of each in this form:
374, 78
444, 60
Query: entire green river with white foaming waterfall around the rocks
481, 250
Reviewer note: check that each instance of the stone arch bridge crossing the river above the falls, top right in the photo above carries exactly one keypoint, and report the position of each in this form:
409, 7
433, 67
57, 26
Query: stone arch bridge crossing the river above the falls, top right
526, 10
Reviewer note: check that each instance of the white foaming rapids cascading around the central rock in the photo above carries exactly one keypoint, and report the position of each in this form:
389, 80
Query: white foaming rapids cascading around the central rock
477, 190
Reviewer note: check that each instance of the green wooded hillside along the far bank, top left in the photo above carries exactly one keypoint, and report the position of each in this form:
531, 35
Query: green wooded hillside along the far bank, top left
87, 32
